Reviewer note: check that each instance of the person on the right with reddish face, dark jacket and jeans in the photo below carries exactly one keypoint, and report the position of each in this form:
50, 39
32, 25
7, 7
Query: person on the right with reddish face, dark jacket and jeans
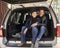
42, 24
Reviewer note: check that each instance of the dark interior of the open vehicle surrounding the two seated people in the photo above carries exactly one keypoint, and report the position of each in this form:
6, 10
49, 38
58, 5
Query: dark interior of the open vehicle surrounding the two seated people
18, 19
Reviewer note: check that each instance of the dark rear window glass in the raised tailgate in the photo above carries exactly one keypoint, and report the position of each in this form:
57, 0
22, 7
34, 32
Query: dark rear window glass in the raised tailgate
22, 1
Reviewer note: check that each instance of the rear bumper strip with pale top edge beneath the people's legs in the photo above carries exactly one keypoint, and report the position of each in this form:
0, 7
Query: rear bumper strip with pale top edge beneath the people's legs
28, 44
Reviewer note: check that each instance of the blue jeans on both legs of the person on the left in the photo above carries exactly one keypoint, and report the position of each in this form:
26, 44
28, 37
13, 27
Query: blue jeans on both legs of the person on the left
34, 34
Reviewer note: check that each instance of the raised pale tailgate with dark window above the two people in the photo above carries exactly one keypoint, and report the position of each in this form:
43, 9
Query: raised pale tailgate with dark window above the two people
26, 3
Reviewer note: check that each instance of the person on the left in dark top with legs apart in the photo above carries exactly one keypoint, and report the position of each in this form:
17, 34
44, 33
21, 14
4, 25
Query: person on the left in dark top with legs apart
31, 23
